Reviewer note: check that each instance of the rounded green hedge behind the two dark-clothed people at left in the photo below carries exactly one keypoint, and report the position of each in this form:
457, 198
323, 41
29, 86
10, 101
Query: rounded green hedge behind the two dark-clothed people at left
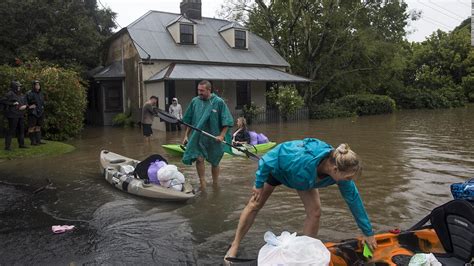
65, 96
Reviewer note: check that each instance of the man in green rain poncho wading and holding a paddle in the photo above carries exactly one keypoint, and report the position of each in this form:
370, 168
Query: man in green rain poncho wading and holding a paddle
209, 113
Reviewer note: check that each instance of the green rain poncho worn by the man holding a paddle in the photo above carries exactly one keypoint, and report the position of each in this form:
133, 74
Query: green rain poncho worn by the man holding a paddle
211, 116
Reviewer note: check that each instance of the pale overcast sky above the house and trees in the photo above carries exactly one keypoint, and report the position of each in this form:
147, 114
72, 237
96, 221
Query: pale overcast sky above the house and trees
436, 14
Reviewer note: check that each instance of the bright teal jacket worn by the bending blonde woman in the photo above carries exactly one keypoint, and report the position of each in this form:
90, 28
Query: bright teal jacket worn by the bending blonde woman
294, 164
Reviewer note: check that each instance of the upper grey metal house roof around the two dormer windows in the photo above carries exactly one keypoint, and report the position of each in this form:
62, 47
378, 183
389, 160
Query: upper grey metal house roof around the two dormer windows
152, 37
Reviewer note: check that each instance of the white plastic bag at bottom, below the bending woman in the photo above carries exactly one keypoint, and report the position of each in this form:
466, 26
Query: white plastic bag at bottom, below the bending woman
289, 249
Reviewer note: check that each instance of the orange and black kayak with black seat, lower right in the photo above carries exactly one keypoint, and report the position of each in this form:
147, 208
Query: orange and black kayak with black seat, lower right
449, 236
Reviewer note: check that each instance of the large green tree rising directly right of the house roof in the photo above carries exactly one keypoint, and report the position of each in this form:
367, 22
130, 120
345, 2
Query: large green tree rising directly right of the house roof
346, 47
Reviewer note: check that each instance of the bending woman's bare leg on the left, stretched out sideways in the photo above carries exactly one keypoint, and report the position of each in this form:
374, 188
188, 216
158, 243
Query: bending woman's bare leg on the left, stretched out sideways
247, 217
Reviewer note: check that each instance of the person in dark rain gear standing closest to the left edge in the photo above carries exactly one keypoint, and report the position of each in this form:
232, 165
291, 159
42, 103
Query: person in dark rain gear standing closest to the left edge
15, 111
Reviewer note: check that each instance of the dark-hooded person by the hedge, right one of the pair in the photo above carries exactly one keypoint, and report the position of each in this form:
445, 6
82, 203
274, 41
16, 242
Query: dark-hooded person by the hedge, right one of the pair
35, 100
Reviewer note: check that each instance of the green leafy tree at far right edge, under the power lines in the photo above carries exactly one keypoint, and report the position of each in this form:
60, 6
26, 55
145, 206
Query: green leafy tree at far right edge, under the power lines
439, 71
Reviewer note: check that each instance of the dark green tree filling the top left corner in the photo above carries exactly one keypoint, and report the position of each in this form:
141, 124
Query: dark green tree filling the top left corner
65, 32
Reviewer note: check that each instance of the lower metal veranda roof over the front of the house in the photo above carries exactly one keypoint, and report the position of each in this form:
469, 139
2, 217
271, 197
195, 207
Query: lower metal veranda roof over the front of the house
219, 72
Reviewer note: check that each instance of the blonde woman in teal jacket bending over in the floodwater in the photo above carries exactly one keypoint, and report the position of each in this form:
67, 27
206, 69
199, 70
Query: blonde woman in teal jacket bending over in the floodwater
306, 165
